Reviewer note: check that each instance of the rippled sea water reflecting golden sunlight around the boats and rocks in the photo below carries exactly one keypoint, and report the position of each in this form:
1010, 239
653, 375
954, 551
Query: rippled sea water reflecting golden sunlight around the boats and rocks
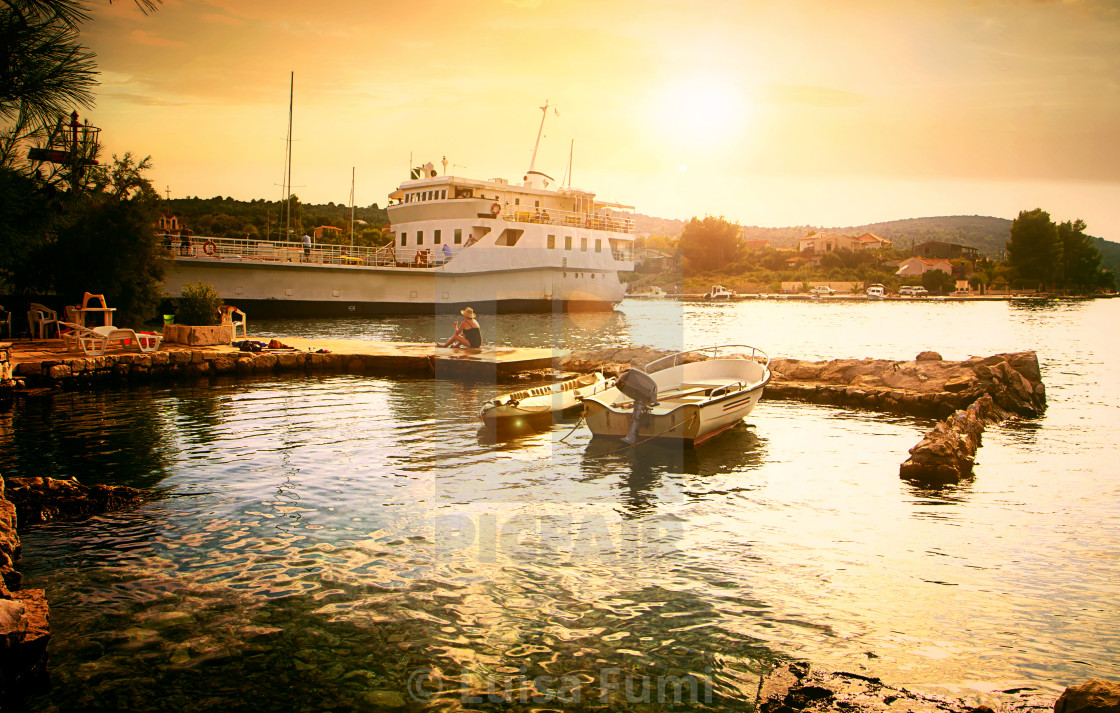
348, 542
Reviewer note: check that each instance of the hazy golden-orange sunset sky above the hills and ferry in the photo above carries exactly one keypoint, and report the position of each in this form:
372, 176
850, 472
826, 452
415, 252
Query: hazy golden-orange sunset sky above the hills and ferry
778, 112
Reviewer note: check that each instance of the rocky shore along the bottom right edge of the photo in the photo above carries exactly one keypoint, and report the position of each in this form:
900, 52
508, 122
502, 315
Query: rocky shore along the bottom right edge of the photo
799, 688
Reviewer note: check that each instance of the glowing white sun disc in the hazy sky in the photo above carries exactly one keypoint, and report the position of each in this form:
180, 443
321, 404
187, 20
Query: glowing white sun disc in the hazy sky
698, 111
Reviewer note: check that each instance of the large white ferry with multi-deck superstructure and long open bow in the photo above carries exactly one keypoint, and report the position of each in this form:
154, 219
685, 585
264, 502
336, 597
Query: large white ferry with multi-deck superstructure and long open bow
494, 246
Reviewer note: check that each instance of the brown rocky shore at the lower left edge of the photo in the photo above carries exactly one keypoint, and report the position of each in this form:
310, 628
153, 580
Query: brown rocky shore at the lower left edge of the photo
25, 616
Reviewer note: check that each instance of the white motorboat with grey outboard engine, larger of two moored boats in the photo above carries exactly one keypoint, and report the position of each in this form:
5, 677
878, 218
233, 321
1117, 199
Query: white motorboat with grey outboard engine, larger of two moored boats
690, 397
